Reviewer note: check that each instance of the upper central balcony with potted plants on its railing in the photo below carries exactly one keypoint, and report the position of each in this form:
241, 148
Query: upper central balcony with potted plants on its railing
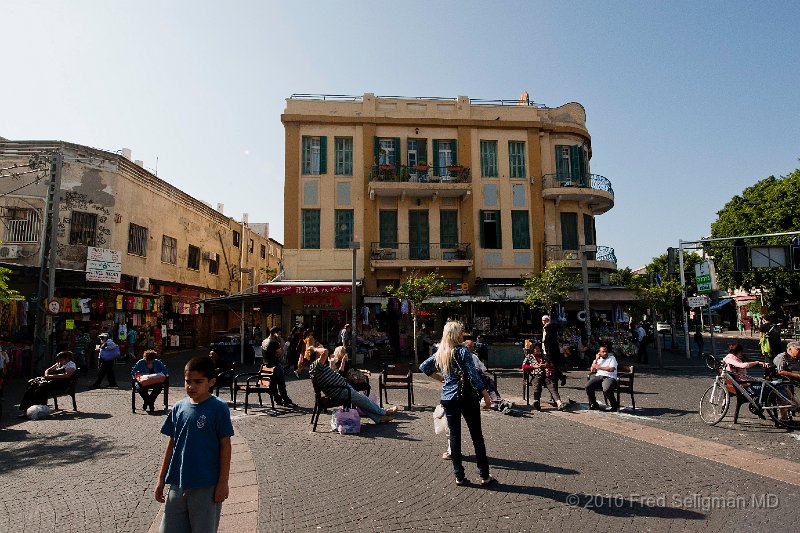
419, 180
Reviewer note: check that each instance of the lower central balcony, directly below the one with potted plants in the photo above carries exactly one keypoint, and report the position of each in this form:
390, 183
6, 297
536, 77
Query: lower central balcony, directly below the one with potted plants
420, 255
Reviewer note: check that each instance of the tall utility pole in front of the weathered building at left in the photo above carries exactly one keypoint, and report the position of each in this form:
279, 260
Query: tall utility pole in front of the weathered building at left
43, 332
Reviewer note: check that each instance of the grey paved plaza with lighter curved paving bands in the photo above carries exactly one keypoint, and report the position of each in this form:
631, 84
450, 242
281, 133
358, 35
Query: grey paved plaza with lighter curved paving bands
659, 468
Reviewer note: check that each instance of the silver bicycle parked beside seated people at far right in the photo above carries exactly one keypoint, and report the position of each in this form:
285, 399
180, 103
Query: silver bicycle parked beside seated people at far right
775, 398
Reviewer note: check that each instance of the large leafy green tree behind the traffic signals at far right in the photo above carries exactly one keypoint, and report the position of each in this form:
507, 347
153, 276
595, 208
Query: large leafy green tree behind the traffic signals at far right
769, 206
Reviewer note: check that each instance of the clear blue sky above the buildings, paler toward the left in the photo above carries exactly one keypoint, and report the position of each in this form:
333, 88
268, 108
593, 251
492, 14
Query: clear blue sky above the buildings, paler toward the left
688, 103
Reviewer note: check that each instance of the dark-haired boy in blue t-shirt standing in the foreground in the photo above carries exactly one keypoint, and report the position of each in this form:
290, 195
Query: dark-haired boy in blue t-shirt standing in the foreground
197, 460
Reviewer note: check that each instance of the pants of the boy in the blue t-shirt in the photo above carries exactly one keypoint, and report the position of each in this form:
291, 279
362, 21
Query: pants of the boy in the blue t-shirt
191, 511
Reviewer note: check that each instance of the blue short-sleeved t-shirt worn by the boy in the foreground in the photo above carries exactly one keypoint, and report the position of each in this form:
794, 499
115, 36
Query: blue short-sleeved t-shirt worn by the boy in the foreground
197, 430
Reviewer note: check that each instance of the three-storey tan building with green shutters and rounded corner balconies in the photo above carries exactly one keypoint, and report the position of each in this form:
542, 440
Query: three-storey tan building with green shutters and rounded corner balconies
480, 191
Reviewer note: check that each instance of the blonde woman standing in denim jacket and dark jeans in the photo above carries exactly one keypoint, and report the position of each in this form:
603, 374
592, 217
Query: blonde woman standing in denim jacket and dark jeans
446, 366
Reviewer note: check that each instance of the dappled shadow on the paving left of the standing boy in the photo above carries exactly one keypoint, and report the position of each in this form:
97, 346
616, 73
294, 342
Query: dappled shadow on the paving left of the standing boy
57, 450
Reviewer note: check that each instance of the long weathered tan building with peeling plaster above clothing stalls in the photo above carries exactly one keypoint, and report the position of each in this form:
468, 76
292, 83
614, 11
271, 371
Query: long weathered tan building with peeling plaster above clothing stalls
171, 250
